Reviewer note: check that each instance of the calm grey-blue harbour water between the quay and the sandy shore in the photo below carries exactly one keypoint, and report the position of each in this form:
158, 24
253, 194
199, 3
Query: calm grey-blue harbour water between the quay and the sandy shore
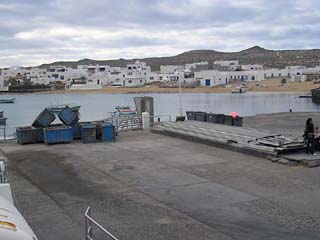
95, 106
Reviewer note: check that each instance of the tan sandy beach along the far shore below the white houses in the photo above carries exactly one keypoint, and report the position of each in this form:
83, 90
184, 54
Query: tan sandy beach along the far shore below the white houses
262, 86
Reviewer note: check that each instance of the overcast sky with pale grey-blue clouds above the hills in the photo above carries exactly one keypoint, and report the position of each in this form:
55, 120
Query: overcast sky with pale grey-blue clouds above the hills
42, 31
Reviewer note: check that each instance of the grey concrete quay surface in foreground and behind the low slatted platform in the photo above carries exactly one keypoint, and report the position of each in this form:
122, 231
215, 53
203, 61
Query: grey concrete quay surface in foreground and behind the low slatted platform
148, 186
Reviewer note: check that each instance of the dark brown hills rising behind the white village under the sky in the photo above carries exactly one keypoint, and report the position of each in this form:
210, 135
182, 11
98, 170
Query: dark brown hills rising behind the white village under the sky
253, 55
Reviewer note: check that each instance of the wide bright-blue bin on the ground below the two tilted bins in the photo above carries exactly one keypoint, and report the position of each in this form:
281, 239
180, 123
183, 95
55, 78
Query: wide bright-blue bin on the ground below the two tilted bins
58, 134
